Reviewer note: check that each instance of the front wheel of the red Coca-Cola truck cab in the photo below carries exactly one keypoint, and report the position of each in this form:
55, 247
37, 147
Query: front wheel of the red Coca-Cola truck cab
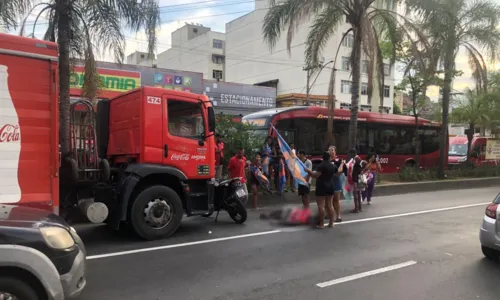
156, 212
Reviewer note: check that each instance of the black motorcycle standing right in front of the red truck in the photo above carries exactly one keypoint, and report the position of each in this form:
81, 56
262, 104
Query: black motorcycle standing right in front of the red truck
230, 196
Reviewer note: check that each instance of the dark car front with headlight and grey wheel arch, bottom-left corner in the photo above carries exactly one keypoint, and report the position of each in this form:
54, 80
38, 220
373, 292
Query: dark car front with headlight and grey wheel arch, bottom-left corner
41, 256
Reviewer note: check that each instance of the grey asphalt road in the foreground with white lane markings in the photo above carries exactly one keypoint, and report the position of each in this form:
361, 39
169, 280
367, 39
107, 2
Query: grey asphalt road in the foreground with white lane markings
418, 246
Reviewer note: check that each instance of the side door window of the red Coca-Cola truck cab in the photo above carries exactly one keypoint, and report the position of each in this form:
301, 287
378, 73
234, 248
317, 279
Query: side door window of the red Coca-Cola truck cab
185, 119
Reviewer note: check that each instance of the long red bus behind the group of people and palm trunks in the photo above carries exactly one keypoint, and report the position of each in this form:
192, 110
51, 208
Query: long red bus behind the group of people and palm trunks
390, 136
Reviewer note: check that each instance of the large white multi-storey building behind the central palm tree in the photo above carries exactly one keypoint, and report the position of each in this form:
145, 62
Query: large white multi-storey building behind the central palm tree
249, 60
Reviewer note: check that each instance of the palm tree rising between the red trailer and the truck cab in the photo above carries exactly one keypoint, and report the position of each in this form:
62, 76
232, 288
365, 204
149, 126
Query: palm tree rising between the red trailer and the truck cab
81, 27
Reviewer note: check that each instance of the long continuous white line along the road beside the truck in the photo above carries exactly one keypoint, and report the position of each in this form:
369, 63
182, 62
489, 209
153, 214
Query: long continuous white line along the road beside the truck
292, 229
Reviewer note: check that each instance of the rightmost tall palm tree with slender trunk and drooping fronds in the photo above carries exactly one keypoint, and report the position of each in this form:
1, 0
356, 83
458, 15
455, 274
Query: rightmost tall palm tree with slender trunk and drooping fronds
454, 24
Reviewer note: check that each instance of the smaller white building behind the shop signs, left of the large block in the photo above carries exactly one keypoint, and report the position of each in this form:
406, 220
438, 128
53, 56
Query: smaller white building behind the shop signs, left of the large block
195, 48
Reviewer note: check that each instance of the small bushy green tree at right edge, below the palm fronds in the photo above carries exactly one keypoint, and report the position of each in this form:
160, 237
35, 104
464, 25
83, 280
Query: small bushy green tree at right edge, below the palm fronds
477, 109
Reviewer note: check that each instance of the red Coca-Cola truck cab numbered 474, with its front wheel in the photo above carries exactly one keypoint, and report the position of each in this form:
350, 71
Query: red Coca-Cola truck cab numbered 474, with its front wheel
160, 146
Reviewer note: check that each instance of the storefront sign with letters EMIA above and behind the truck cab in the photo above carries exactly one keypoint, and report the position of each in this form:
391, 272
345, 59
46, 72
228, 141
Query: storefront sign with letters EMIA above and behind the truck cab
113, 80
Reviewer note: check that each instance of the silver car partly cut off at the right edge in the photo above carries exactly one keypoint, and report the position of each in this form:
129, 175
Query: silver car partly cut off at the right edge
489, 234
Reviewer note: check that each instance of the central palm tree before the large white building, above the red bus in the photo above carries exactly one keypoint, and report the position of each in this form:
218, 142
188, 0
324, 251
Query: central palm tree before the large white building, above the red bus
368, 24
